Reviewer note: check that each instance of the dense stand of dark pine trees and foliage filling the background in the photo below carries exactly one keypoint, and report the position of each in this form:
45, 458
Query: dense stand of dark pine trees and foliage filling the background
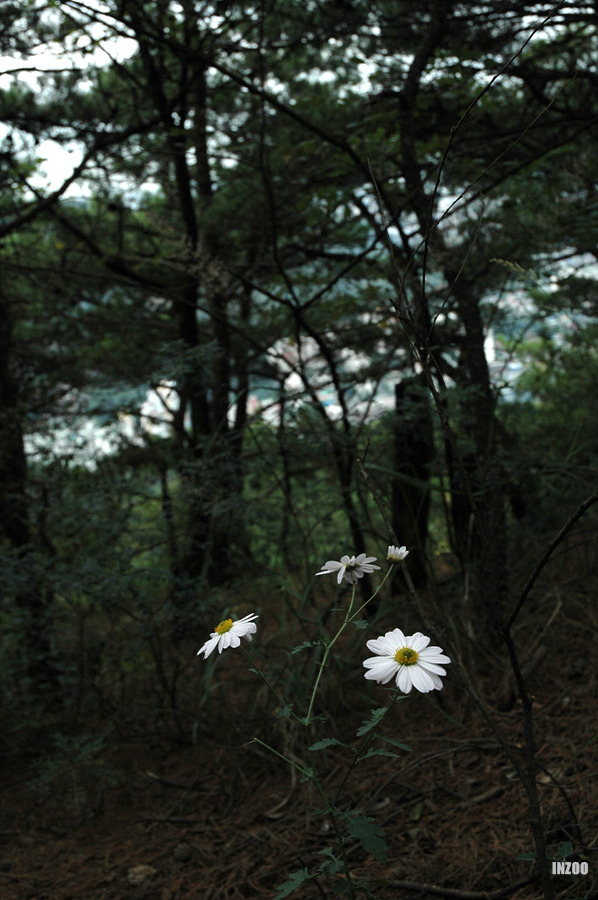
290, 232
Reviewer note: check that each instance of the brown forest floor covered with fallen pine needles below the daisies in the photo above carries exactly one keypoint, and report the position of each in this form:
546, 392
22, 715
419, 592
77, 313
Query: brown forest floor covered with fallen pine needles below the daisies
225, 819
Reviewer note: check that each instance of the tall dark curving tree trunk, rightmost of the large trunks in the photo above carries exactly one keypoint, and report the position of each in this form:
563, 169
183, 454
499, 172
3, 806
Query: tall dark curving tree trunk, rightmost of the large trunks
473, 468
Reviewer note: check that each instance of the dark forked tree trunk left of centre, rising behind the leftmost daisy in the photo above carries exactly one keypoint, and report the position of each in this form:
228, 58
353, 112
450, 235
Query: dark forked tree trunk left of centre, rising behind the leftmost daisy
212, 470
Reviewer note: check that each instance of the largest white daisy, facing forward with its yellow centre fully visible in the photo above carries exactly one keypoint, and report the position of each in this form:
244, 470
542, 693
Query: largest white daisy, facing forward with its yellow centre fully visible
407, 659
